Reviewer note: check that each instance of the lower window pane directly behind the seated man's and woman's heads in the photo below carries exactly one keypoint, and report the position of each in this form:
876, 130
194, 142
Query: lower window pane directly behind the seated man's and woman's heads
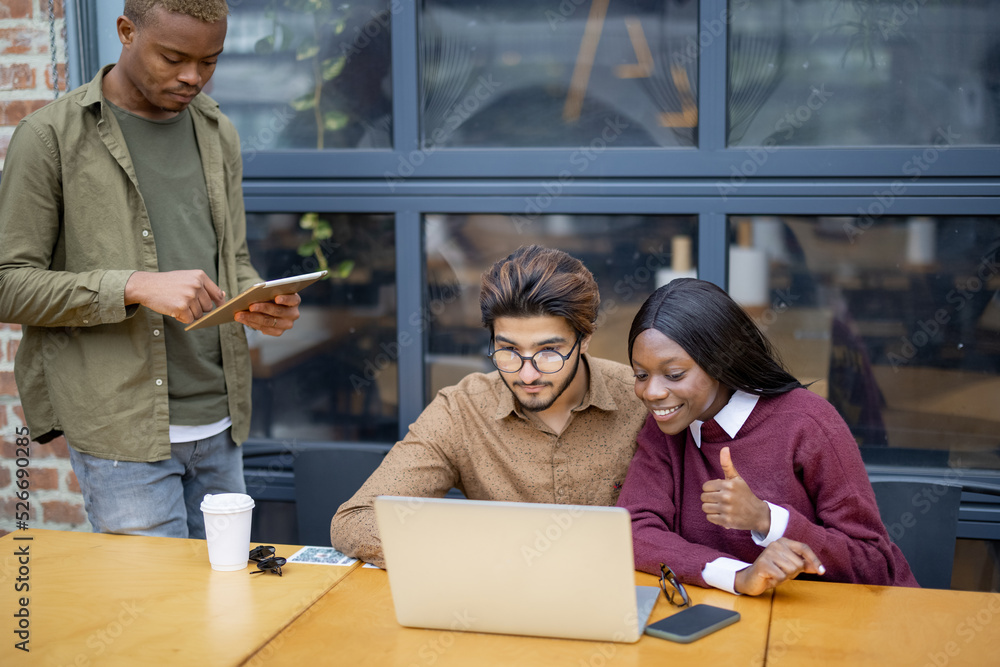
628, 255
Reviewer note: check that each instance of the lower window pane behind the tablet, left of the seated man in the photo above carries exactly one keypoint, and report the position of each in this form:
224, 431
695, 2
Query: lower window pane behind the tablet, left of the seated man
333, 375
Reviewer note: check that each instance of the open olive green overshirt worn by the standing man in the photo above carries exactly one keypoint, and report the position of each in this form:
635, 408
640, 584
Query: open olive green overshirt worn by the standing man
73, 229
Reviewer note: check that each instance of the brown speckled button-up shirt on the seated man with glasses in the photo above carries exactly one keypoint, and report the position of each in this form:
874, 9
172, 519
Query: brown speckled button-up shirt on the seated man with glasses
475, 437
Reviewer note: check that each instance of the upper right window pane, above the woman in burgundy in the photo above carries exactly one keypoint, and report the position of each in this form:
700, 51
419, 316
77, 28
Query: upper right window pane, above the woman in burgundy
895, 72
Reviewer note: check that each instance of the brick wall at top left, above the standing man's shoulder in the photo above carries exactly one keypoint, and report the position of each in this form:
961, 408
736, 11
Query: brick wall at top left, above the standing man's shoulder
26, 61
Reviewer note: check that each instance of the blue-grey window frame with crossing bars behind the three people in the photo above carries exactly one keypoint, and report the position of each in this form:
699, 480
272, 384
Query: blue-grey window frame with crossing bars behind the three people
712, 180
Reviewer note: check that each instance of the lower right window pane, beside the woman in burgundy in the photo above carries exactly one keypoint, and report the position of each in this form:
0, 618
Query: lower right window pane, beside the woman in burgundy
896, 321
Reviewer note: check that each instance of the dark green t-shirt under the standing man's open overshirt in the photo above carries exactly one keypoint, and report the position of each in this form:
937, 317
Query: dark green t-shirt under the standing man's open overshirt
172, 184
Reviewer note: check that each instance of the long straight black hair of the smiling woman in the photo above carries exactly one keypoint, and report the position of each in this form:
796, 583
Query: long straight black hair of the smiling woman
716, 333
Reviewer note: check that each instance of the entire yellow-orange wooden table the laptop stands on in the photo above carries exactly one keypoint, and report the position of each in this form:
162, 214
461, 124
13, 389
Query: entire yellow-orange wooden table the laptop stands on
120, 600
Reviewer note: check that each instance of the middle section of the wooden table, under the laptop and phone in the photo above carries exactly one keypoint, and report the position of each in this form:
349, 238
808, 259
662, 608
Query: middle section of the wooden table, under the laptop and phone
357, 623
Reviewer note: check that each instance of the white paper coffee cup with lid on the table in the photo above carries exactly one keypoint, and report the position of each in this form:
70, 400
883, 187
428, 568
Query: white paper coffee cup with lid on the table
227, 529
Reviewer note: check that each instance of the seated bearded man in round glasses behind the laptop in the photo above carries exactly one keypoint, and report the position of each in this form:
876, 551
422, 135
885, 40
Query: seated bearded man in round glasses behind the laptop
552, 425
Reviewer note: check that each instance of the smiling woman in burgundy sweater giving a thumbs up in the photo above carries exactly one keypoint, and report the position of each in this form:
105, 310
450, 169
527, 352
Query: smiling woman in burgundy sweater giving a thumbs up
800, 501
